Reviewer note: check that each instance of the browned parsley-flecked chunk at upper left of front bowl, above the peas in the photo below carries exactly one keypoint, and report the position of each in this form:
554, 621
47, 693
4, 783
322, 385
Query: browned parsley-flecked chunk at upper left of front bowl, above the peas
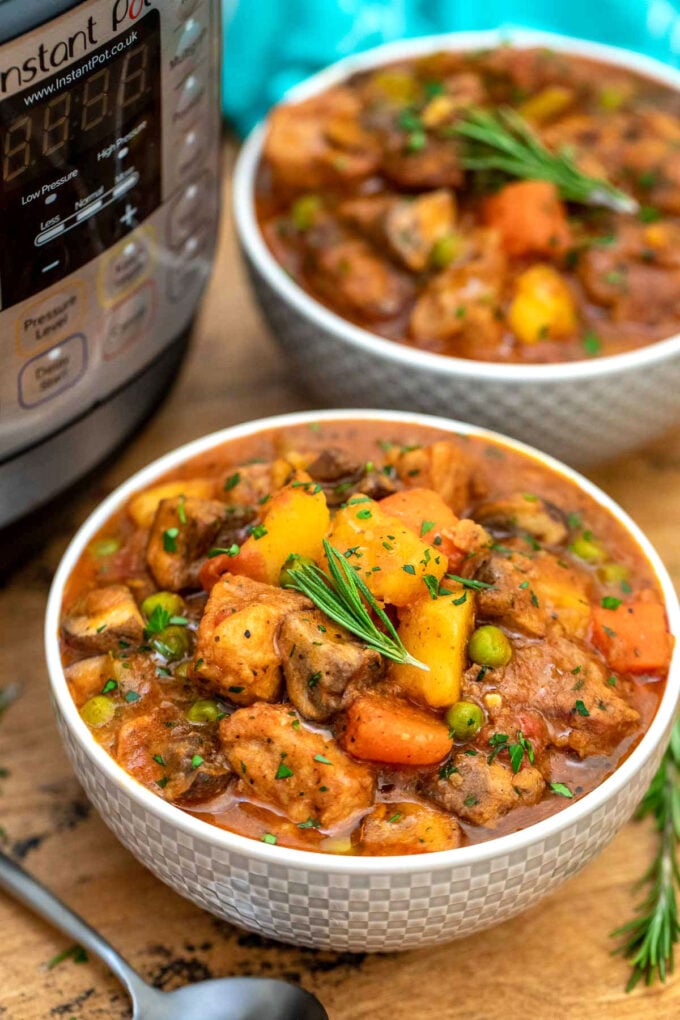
183, 532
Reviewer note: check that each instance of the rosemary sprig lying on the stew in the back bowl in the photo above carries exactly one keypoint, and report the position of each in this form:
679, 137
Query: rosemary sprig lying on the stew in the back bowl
503, 141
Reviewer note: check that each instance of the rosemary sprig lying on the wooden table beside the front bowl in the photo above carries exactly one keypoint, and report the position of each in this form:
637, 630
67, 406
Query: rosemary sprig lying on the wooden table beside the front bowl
649, 939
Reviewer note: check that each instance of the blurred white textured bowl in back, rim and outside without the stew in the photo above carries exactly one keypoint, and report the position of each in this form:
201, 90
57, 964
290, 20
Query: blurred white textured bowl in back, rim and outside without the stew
583, 412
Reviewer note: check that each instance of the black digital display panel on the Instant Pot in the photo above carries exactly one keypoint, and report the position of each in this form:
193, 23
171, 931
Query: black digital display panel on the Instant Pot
81, 158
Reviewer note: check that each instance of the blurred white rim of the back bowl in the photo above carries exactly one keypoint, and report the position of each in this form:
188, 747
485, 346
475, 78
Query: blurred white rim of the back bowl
372, 343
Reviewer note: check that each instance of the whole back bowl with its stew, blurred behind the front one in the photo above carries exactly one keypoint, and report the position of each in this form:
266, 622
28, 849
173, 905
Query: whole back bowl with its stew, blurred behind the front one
396, 268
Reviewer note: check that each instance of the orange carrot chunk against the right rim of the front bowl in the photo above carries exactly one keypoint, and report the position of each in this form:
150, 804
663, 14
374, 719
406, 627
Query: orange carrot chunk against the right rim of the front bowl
635, 638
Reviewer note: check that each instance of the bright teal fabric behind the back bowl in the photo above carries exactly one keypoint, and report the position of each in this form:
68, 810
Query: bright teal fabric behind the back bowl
273, 44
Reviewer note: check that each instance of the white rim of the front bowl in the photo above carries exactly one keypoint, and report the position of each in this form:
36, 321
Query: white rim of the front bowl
312, 861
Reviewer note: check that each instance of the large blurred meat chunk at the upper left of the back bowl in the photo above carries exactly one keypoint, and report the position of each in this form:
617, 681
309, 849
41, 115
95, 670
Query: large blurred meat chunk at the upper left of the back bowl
321, 141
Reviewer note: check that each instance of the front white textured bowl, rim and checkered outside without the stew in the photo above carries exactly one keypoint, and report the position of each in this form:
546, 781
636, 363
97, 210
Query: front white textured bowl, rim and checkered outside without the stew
351, 903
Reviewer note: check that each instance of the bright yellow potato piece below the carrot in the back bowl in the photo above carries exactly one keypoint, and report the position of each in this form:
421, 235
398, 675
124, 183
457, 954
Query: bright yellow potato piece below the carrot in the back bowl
544, 308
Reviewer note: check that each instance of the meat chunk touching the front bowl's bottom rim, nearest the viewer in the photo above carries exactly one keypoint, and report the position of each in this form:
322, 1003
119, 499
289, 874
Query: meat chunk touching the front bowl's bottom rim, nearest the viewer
407, 829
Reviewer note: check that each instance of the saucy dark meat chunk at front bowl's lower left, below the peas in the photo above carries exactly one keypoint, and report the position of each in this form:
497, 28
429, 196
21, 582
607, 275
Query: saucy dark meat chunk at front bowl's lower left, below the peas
162, 751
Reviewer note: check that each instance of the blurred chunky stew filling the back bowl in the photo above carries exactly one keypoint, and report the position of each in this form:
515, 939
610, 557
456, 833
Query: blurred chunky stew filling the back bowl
374, 200
